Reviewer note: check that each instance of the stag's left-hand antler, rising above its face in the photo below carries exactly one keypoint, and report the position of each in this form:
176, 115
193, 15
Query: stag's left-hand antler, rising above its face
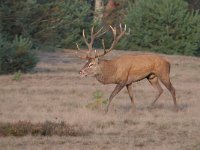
90, 45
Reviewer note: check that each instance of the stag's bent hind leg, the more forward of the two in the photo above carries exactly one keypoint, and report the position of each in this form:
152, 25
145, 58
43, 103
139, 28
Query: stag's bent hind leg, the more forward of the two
155, 83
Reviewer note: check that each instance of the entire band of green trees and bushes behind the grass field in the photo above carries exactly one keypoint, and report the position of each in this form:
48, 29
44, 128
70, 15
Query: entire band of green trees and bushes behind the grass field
163, 26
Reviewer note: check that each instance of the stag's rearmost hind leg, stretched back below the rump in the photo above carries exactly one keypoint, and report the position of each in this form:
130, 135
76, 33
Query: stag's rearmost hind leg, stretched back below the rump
166, 81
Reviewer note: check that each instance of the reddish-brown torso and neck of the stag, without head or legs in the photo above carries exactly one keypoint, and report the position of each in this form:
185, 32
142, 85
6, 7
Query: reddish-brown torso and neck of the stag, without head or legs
130, 68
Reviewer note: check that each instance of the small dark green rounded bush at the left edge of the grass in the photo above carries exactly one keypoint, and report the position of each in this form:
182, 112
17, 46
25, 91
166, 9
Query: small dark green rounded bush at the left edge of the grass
17, 56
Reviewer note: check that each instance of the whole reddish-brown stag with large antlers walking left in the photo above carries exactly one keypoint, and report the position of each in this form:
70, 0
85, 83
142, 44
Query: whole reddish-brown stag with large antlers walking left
125, 69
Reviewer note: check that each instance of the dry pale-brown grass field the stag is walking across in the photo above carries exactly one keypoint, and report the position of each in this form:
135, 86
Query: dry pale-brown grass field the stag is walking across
56, 93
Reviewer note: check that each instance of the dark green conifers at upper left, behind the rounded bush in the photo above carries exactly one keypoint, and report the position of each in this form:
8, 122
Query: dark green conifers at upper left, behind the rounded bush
46, 23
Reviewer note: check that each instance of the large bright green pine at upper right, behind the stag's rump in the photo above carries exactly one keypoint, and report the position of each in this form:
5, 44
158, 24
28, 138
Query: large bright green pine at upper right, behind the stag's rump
164, 26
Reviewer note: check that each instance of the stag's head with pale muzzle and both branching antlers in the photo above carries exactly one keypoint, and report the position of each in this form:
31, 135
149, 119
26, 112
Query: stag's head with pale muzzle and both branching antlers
92, 67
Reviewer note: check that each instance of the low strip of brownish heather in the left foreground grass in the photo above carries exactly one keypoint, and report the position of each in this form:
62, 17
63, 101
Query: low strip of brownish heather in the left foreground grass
48, 128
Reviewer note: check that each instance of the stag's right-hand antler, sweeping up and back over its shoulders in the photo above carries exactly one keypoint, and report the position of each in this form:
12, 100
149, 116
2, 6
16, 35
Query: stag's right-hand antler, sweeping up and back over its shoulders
115, 40
